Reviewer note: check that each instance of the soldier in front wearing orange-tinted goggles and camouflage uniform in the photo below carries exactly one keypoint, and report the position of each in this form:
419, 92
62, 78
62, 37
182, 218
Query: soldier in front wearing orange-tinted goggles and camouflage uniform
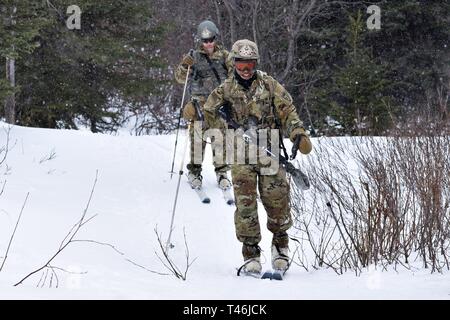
252, 94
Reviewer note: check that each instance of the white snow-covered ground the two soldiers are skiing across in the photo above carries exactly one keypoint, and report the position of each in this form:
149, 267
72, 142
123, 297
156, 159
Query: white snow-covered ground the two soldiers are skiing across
133, 195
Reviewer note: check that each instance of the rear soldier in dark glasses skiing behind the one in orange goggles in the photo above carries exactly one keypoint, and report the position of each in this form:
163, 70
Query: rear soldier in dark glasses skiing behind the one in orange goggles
209, 68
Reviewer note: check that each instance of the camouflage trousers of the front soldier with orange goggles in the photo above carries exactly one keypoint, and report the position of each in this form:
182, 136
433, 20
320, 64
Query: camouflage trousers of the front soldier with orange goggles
274, 193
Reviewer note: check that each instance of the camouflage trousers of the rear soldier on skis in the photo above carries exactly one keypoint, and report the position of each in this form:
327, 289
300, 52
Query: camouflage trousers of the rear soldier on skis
196, 135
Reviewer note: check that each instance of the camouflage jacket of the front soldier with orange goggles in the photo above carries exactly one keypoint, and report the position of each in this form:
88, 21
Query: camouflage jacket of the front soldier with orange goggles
266, 100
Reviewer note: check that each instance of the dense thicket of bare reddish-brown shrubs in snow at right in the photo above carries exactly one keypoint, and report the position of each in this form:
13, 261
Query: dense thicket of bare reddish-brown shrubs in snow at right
378, 200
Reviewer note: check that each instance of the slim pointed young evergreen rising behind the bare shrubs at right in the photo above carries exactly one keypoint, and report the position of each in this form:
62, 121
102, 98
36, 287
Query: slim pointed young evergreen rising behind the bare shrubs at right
361, 105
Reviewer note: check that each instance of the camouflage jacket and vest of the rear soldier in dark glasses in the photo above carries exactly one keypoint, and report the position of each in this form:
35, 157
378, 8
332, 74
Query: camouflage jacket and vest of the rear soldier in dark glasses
202, 78
